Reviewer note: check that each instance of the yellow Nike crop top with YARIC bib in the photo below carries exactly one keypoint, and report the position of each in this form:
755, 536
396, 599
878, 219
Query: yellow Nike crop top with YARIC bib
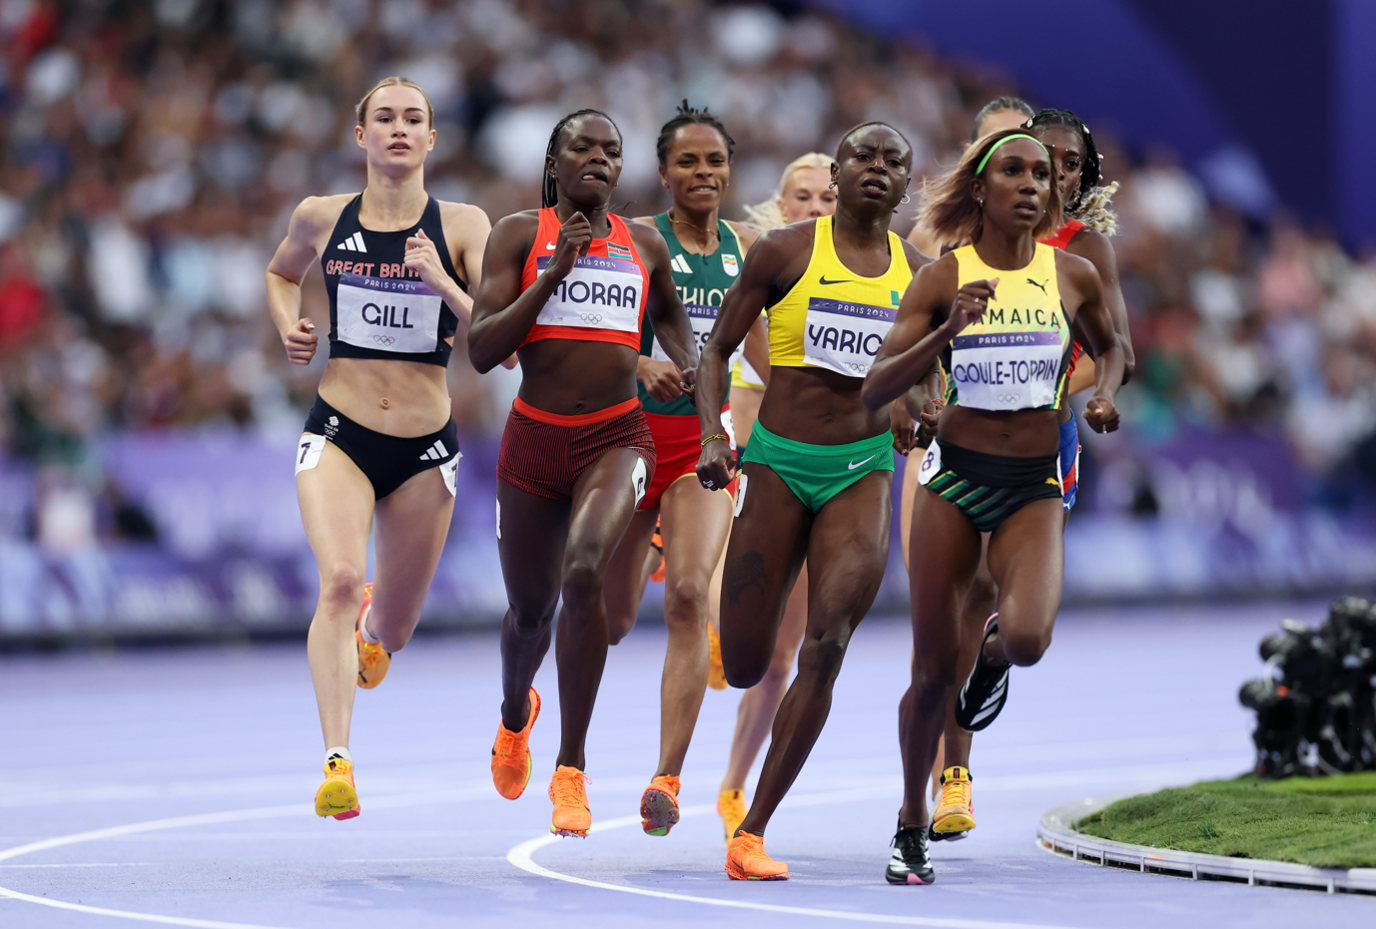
833, 317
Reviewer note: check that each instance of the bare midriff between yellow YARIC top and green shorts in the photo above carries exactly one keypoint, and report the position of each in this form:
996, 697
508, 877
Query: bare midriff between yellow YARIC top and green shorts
818, 407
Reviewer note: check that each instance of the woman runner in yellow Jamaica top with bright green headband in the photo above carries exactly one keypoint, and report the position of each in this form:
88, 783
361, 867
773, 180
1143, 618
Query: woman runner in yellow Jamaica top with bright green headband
993, 467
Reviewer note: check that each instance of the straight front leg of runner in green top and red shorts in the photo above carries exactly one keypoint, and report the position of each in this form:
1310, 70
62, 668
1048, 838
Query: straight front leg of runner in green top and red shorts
696, 526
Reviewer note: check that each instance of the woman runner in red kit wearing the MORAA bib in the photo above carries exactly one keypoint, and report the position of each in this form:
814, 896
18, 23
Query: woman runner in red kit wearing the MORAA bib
568, 287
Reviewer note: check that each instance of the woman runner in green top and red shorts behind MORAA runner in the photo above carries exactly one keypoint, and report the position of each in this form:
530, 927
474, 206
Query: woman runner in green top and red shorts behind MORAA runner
707, 254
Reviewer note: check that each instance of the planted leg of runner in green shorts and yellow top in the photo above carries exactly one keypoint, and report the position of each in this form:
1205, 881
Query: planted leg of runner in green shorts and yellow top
848, 551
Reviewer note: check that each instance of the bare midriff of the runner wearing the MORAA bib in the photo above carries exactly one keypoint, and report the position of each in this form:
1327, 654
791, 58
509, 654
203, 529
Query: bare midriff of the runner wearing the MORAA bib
572, 378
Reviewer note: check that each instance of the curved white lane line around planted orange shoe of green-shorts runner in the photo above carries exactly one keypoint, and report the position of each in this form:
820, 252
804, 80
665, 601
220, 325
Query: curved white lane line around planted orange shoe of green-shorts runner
524, 858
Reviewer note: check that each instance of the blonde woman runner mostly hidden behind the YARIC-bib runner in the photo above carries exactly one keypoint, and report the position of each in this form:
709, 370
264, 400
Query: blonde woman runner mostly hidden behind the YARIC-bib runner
804, 193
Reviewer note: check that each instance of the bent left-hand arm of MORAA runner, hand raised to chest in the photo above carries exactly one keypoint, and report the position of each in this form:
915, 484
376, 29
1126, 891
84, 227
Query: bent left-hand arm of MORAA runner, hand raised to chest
503, 313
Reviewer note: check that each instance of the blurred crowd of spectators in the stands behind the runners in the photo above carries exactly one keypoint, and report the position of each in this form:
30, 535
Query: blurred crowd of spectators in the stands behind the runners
151, 155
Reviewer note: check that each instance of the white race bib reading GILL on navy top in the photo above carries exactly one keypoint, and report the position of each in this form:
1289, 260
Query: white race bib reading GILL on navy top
387, 314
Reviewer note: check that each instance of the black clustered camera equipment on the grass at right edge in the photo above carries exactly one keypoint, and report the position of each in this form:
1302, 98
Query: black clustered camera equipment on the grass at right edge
1316, 705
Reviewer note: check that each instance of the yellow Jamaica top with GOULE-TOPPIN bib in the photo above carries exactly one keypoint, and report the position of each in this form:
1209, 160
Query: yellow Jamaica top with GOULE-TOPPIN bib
1019, 356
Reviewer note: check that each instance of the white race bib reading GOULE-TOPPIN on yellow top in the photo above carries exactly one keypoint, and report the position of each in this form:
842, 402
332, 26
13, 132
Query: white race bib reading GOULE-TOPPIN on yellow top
1007, 371
